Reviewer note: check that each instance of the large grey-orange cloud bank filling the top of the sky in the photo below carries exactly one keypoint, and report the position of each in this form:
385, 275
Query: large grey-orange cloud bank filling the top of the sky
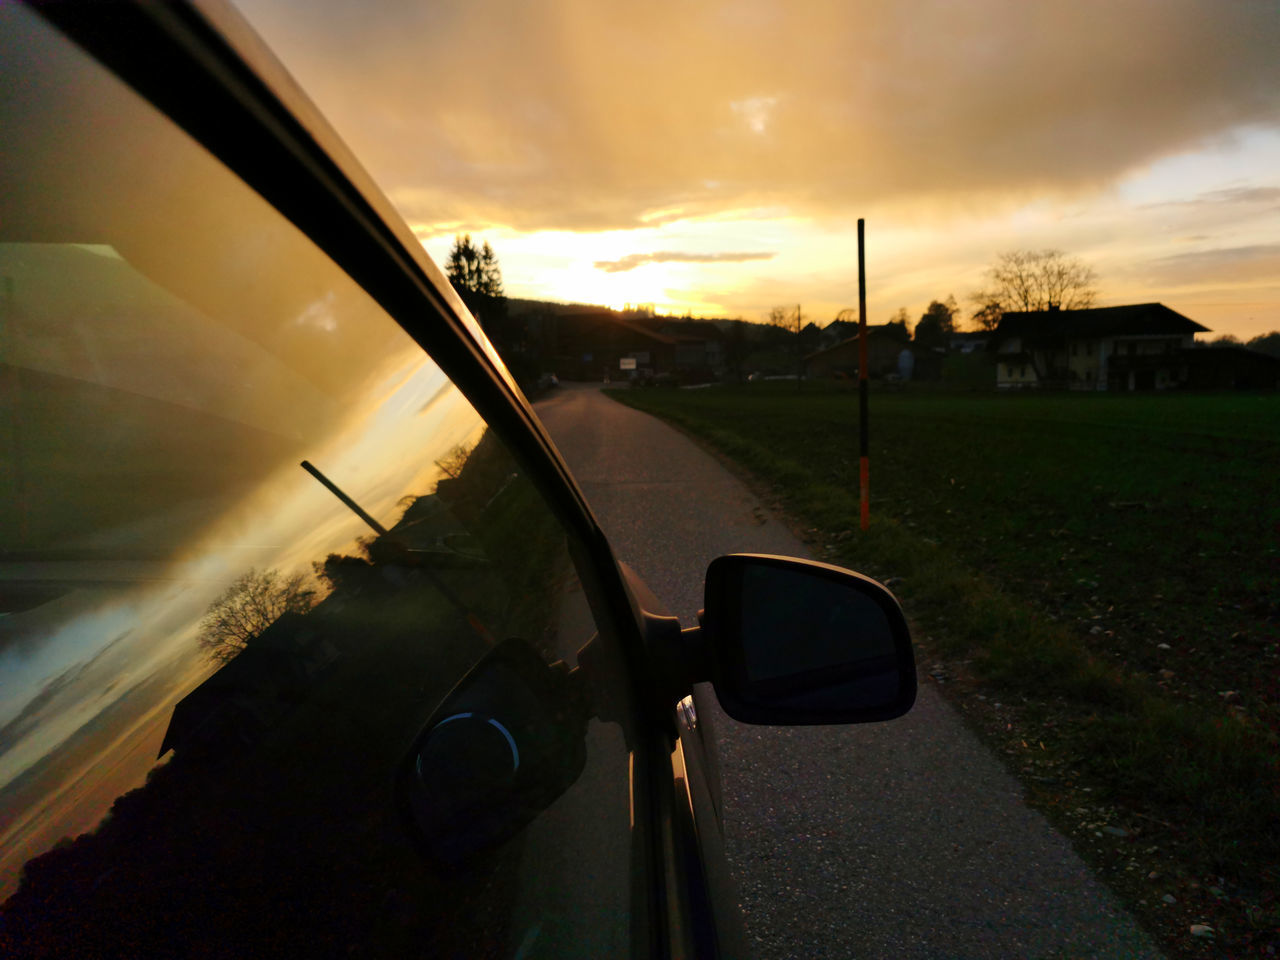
574, 115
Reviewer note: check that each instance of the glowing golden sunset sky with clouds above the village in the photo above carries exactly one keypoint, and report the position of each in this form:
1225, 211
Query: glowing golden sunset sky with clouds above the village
715, 158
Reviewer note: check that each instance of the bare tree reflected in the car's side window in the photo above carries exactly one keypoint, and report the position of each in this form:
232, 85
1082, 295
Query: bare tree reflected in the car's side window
248, 607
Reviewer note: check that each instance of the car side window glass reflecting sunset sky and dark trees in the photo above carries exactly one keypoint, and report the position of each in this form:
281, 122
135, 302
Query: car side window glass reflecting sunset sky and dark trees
258, 557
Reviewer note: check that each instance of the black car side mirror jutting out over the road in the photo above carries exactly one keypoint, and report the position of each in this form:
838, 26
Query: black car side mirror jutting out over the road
801, 642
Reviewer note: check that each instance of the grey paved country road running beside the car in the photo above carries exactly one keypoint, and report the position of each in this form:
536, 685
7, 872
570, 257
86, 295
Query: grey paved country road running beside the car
897, 840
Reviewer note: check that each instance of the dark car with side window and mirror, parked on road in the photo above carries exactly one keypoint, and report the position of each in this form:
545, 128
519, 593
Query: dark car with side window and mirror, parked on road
310, 642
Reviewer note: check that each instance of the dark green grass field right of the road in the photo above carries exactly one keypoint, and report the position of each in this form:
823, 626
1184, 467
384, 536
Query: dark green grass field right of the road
1109, 563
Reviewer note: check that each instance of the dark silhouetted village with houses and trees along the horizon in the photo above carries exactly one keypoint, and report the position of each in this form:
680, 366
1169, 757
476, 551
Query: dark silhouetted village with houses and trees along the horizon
1132, 348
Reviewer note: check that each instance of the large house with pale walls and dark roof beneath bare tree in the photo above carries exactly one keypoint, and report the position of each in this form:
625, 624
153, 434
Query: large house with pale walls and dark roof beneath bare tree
1136, 348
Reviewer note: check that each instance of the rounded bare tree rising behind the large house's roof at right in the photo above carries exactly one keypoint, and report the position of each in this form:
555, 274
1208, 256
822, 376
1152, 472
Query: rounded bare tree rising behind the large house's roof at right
1034, 280
